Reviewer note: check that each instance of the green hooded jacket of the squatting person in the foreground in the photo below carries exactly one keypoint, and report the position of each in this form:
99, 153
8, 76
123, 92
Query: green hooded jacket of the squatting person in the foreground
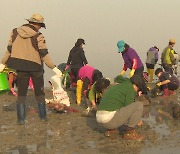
118, 95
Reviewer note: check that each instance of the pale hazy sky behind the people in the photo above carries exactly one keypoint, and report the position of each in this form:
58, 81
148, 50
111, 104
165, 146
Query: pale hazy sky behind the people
141, 23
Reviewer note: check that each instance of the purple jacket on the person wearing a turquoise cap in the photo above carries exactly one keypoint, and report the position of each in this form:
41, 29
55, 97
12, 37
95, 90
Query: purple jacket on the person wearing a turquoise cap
128, 57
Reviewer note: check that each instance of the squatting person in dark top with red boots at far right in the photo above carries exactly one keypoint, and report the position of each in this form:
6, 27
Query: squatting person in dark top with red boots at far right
168, 82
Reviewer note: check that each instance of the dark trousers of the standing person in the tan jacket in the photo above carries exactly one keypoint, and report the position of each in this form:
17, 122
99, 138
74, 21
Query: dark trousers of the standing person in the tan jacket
23, 83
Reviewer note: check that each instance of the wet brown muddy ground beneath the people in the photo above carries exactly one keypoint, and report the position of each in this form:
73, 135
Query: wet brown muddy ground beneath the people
70, 133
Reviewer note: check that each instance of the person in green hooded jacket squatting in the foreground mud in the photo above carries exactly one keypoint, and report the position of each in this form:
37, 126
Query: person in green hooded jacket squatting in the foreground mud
117, 107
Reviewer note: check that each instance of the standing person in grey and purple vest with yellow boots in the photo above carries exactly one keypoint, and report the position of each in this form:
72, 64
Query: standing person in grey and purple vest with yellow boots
151, 60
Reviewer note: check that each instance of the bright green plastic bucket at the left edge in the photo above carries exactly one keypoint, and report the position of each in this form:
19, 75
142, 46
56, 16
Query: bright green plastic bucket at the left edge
4, 84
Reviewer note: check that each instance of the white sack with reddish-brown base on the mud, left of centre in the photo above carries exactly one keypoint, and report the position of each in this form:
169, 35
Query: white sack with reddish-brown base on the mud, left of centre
60, 101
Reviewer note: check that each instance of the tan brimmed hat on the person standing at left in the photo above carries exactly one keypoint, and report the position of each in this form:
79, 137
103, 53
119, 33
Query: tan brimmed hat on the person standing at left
37, 18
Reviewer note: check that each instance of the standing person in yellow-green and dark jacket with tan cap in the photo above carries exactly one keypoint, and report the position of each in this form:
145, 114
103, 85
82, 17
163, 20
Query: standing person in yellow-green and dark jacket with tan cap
167, 57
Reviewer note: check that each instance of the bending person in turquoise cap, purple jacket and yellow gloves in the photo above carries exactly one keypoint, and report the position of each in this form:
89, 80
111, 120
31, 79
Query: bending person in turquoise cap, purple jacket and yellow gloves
131, 61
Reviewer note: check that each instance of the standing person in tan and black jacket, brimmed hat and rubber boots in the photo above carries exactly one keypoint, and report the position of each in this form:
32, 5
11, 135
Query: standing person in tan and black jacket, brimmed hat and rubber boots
26, 52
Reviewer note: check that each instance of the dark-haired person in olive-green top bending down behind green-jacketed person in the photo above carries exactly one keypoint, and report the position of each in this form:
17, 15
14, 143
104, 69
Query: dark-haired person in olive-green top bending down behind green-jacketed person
93, 97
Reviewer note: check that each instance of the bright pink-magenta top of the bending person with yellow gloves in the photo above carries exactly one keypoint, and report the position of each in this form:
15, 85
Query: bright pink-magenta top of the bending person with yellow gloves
86, 71
